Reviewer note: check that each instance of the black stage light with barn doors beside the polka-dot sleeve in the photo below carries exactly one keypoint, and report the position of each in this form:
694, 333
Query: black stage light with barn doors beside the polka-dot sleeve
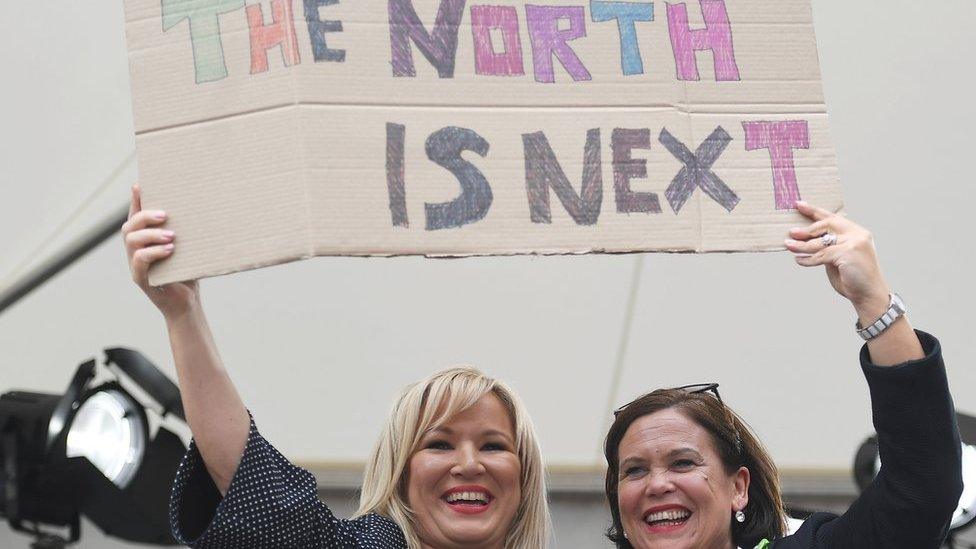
91, 452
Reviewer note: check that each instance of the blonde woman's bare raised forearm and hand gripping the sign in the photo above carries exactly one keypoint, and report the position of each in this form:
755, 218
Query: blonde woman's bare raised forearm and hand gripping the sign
214, 410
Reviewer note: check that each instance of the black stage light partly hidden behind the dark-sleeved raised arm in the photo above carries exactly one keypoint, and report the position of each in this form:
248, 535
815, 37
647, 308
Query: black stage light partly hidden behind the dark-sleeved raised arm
867, 463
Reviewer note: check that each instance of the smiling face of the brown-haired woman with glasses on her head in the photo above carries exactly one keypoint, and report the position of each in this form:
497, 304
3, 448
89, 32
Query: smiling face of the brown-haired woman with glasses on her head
674, 492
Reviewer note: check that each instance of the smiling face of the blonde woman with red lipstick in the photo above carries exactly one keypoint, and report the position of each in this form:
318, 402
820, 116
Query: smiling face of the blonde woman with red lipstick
464, 481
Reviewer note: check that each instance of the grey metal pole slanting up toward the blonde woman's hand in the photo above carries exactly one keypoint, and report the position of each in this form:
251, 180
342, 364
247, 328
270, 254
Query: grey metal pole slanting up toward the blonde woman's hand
63, 258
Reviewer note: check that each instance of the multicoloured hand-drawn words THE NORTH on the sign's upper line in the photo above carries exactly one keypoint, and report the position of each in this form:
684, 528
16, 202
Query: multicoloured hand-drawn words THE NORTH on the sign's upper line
551, 31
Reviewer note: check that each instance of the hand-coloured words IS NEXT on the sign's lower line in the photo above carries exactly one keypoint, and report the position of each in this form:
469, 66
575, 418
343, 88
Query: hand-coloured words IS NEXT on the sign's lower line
543, 172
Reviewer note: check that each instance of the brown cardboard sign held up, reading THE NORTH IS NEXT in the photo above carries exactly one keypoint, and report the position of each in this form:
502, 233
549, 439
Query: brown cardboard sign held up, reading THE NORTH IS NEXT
284, 129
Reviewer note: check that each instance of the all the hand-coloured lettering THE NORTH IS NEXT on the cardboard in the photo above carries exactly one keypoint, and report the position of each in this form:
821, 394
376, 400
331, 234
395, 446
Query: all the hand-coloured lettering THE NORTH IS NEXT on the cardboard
498, 52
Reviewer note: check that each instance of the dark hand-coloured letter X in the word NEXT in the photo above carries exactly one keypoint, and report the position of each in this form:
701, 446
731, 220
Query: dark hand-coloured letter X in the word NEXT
697, 171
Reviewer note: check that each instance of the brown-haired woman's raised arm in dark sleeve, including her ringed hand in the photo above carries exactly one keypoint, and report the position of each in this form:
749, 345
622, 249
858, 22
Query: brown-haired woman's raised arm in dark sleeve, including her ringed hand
910, 502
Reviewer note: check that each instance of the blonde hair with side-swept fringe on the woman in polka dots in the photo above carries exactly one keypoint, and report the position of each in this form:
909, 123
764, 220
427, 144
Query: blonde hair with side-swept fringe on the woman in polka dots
428, 404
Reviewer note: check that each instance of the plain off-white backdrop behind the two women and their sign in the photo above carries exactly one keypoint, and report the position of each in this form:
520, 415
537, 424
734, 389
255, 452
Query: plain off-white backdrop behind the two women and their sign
318, 347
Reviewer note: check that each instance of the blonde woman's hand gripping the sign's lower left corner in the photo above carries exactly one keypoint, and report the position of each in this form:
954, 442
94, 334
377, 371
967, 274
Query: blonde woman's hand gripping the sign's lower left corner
146, 243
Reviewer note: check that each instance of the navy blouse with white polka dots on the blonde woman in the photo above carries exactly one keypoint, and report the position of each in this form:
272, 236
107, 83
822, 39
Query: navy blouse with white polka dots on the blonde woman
270, 504
